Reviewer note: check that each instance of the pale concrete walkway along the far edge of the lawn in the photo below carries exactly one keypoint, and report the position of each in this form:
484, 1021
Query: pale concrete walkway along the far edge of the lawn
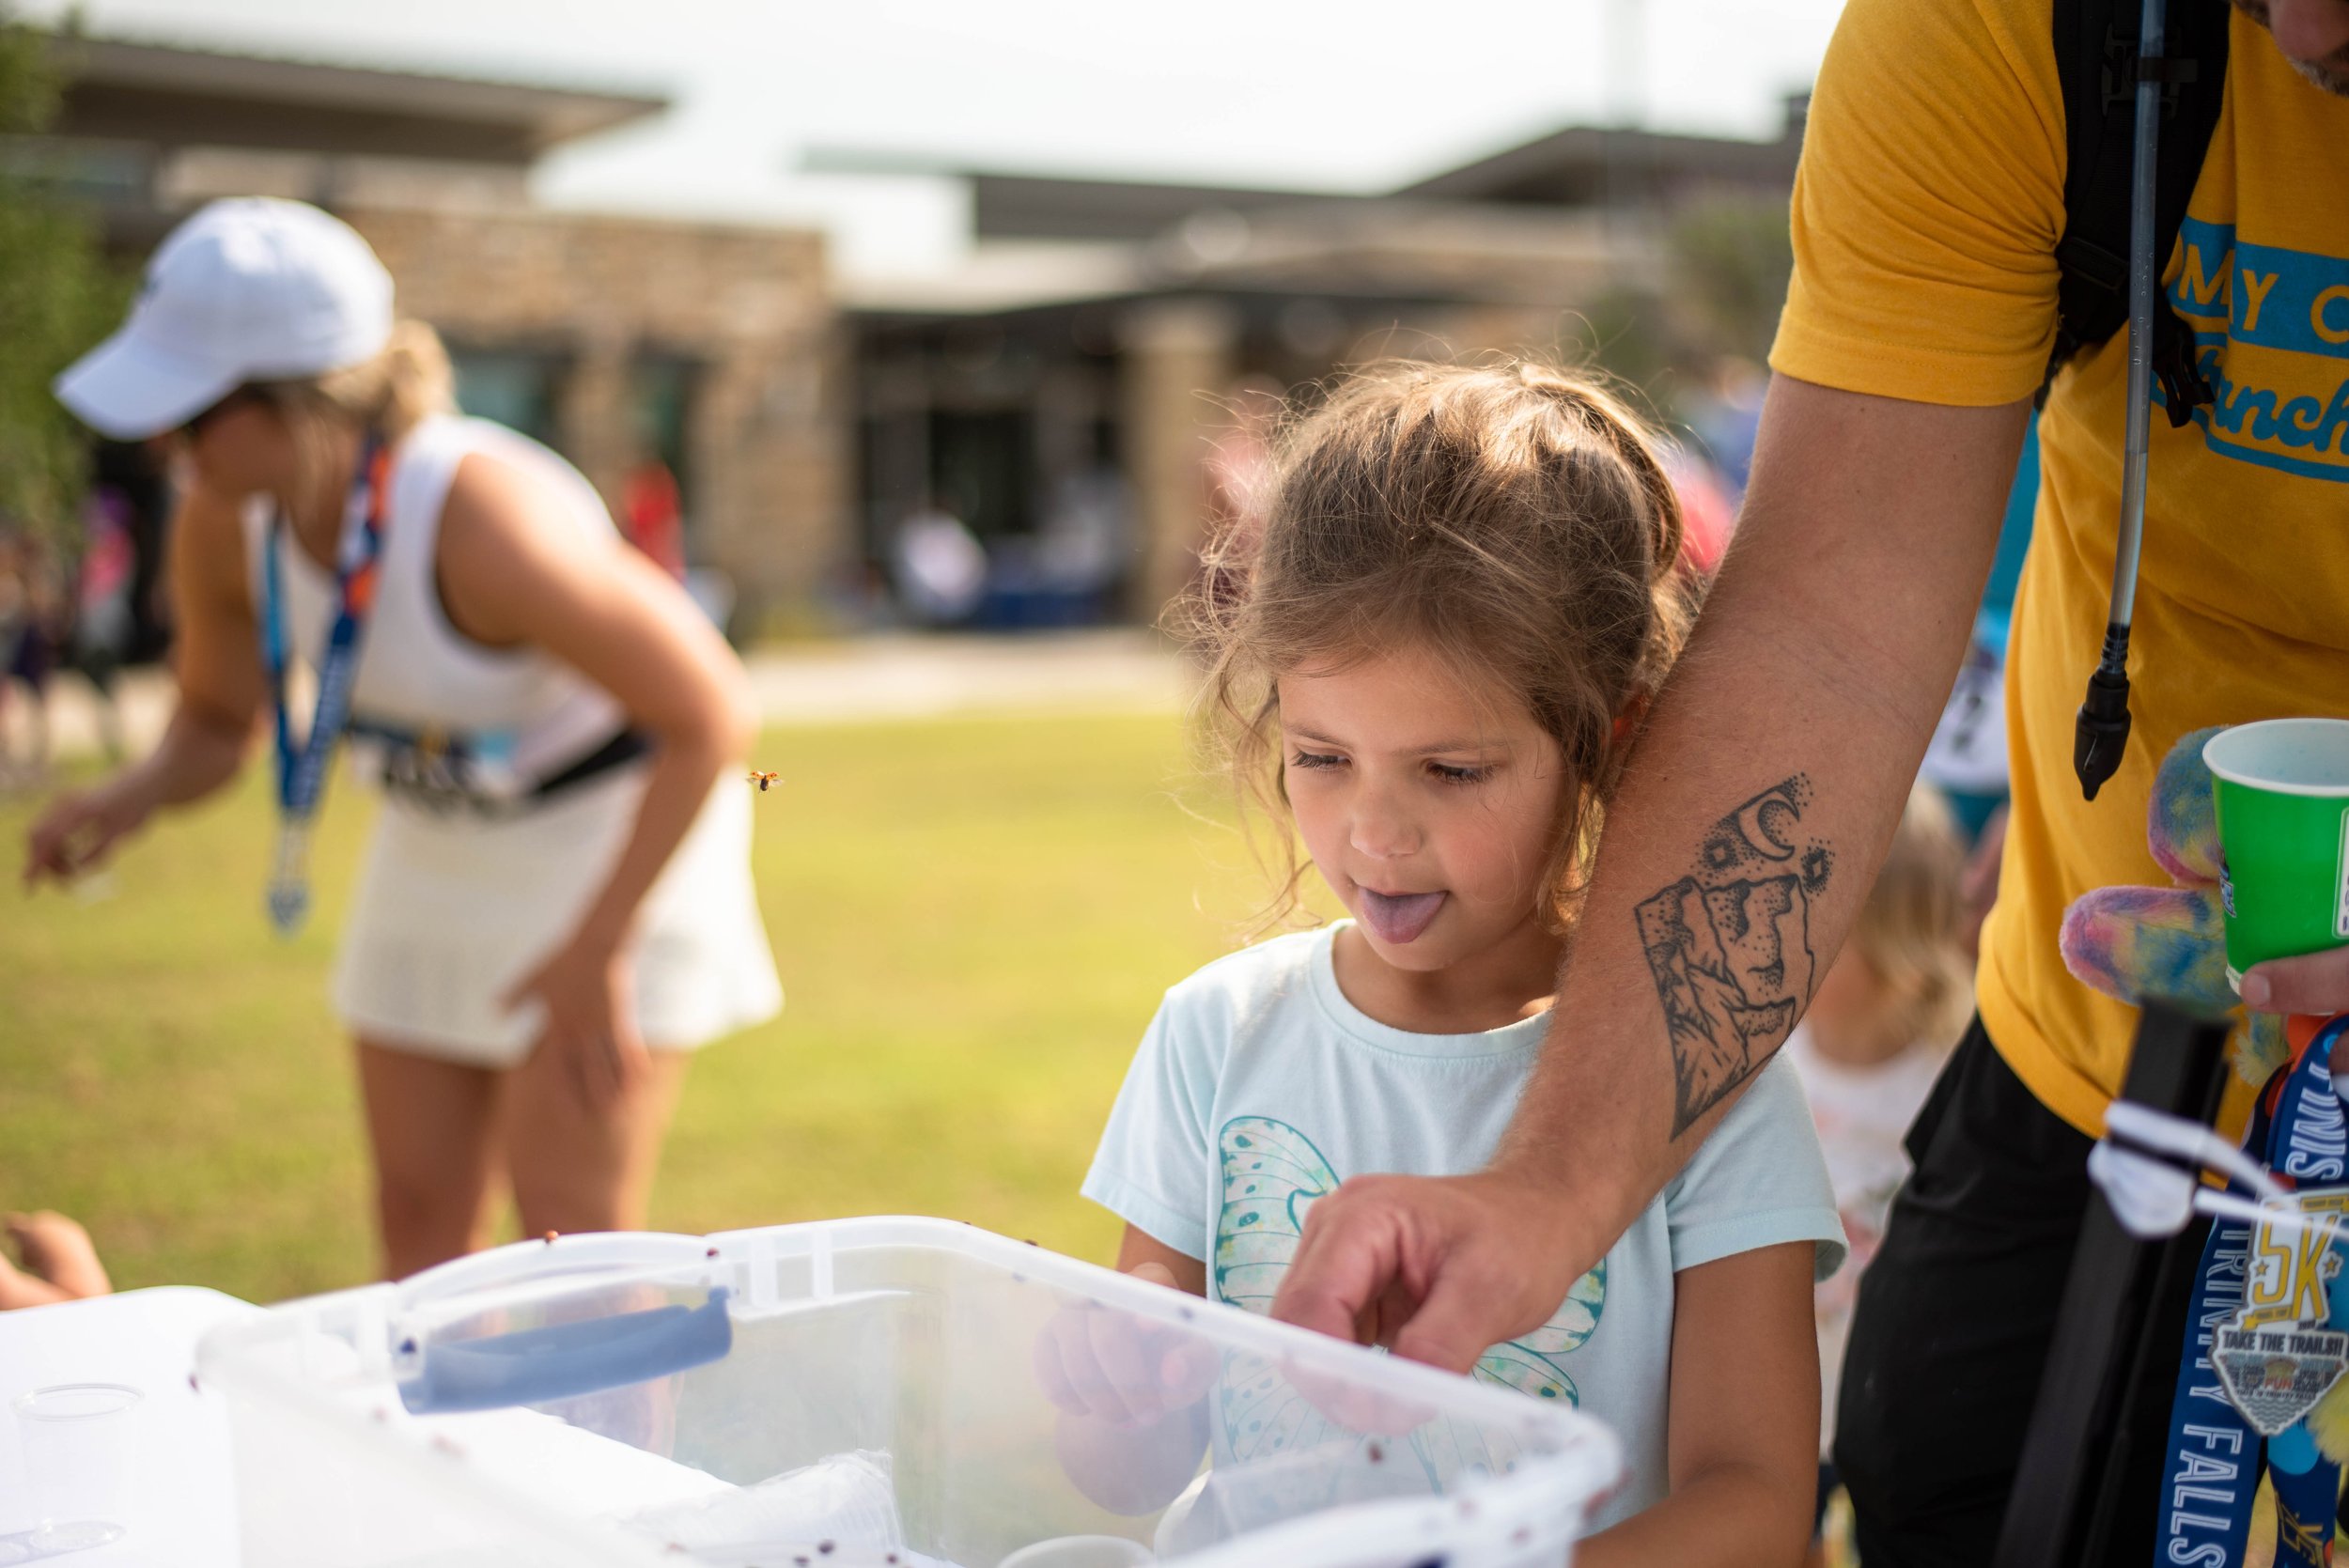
852, 682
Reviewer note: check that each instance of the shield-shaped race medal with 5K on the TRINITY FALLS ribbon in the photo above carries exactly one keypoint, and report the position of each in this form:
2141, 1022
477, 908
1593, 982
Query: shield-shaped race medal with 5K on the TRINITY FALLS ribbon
2277, 1356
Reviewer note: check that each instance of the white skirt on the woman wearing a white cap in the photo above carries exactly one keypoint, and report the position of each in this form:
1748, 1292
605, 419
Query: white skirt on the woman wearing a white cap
455, 910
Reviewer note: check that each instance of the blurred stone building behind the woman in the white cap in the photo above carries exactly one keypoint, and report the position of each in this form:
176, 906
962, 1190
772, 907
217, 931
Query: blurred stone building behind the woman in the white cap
645, 351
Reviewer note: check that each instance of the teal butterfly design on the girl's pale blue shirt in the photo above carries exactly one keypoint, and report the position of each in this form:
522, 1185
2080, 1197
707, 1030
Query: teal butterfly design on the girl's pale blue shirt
1272, 1177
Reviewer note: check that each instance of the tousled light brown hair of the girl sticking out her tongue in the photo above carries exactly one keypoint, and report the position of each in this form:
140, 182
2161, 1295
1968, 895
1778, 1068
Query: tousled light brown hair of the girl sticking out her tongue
1514, 520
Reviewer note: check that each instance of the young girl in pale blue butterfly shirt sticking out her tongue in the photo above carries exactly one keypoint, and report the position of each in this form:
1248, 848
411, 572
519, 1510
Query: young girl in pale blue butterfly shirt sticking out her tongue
1432, 668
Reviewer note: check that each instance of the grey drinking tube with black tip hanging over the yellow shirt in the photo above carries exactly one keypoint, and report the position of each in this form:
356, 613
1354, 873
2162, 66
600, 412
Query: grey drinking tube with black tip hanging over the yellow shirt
2104, 719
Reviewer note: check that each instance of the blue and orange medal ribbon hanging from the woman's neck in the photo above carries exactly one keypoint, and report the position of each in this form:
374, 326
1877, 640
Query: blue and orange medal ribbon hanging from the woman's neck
302, 771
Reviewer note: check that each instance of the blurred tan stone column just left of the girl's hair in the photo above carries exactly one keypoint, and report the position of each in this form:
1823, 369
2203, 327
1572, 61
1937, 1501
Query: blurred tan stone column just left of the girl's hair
1180, 358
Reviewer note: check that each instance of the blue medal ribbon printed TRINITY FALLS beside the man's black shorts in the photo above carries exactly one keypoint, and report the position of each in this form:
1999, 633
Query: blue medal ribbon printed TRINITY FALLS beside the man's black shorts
2214, 1464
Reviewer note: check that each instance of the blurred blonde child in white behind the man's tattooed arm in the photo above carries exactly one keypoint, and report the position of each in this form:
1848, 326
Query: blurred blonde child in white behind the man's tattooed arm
1871, 1046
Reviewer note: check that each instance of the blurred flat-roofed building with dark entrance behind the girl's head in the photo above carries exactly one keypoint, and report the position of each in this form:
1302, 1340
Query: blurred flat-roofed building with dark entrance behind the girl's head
1105, 330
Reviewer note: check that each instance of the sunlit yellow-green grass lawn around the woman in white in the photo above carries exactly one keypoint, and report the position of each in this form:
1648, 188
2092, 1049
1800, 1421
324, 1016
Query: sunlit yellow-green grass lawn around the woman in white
974, 924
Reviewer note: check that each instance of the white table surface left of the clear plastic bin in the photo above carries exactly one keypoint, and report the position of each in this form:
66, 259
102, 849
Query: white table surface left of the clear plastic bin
184, 1513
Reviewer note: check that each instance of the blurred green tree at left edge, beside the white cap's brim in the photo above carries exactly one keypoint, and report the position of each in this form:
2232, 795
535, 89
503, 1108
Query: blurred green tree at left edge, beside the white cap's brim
58, 292
